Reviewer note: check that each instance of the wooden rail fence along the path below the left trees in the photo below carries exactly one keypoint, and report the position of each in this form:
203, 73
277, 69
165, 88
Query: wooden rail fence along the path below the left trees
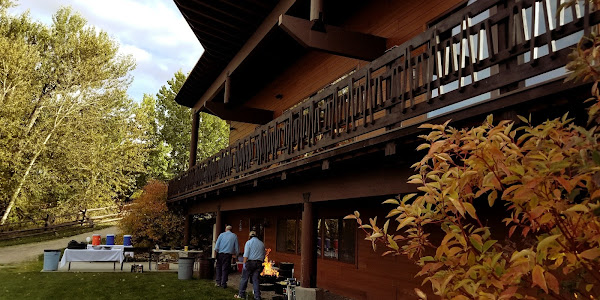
53, 223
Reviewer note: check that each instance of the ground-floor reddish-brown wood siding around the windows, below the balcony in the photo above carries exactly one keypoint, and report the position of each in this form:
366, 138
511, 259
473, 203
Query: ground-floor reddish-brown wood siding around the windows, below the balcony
371, 277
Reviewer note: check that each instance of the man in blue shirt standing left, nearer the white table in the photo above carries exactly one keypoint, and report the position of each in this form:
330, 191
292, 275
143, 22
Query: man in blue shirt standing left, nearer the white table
226, 247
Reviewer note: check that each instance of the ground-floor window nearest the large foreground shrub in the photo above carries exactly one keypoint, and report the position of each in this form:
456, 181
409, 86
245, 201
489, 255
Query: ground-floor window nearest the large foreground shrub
336, 239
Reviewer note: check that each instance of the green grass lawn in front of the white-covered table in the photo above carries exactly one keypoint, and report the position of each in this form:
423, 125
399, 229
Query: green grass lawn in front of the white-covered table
25, 281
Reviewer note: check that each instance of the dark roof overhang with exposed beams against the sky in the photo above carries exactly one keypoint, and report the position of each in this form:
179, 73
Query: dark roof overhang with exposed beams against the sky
283, 36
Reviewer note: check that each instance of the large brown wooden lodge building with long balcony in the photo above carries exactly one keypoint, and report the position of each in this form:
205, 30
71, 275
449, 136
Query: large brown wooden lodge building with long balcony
324, 99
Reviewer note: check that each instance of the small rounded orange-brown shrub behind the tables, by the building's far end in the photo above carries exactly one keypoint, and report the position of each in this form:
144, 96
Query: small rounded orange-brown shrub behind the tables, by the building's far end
149, 221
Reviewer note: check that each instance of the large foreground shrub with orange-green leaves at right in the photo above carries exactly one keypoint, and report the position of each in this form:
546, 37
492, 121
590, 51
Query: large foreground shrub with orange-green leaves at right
547, 176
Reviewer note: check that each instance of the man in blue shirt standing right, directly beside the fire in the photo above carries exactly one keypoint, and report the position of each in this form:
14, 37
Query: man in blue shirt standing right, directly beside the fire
254, 255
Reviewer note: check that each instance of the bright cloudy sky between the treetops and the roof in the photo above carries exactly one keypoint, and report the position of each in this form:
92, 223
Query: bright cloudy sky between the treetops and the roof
153, 31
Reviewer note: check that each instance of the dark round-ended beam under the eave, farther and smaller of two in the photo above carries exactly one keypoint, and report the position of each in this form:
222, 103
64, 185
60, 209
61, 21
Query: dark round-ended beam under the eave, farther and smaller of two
240, 114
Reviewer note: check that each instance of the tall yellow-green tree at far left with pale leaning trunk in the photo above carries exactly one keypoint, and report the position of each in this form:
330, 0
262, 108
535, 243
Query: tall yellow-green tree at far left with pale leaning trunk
64, 112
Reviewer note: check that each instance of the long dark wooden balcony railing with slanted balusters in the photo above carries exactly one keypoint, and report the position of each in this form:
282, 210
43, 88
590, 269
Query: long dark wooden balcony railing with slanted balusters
485, 49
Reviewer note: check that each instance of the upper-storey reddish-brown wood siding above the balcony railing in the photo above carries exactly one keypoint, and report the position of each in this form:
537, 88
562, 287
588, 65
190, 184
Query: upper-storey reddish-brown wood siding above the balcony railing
398, 21
